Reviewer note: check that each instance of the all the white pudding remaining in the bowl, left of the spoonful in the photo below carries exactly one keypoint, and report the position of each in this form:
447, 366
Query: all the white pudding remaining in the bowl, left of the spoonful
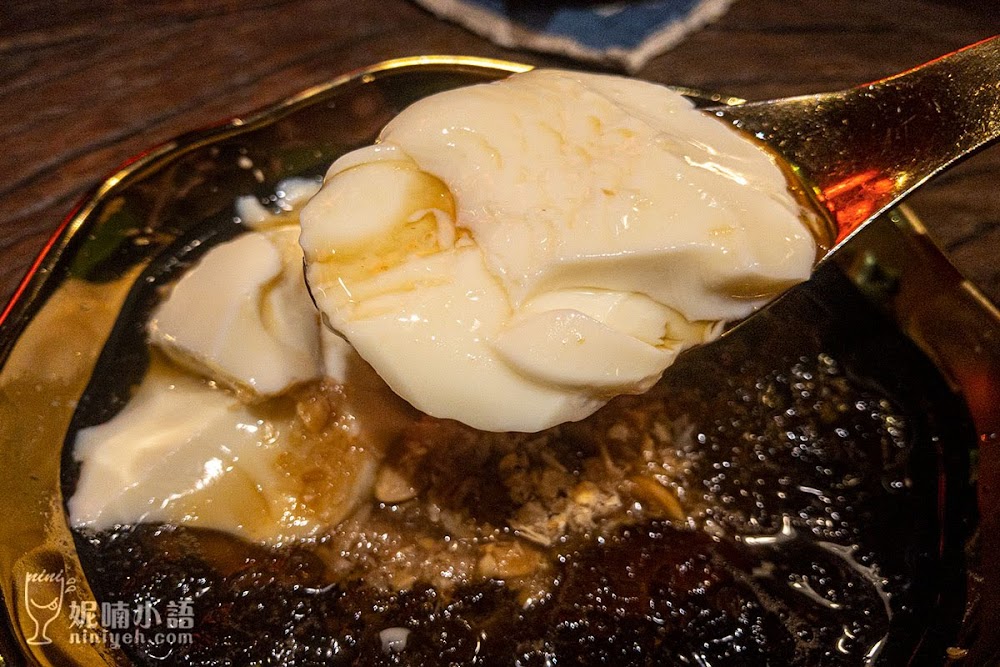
212, 448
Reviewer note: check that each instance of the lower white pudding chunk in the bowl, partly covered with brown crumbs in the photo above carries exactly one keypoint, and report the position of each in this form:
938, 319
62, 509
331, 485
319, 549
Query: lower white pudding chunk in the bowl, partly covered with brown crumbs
184, 452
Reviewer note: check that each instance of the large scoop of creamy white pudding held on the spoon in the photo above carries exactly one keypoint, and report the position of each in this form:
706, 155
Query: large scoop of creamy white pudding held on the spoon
513, 255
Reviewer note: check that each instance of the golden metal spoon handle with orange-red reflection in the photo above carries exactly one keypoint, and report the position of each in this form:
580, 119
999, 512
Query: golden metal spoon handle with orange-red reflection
865, 148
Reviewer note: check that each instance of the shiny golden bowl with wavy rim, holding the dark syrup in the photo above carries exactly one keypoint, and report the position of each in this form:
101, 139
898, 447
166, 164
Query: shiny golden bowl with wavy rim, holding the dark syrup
56, 327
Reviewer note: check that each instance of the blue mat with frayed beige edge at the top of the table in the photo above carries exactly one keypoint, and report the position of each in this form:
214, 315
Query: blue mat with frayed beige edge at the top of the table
623, 33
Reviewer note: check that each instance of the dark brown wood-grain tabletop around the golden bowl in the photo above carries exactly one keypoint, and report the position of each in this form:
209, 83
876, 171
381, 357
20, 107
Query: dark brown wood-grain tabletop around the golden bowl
84, 84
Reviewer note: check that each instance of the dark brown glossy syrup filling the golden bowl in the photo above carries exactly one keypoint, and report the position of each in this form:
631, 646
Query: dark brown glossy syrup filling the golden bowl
828, 457
